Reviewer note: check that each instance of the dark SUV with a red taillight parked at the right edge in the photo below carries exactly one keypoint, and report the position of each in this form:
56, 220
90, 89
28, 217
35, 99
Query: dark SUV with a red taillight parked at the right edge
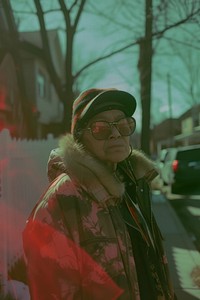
181, 168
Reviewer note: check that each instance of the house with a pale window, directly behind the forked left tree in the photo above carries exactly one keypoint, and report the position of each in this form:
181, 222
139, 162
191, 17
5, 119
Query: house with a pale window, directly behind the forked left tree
39, 88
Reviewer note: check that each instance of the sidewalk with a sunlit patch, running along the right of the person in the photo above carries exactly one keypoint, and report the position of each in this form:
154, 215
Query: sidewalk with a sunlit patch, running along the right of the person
184, 259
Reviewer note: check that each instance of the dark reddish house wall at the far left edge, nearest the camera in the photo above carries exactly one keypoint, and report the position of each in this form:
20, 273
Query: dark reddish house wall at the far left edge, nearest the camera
11, 111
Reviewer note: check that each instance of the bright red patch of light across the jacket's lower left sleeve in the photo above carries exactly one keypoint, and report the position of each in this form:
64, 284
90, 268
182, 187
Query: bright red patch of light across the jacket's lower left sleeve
57, 268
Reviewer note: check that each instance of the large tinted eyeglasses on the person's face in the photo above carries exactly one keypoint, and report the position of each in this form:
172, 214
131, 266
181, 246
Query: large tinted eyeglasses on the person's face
101, 130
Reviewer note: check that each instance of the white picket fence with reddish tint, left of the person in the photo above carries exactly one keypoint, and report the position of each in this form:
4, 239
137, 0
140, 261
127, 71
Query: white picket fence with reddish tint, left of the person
23, 165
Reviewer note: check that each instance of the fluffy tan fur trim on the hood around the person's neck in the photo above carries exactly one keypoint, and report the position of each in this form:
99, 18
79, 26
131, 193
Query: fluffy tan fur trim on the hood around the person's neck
89, 172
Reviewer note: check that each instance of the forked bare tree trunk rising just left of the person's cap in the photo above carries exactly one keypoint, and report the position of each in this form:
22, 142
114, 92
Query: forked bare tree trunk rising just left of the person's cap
65, 92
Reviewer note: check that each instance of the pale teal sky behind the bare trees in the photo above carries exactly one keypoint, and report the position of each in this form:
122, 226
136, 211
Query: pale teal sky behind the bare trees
109, 25
